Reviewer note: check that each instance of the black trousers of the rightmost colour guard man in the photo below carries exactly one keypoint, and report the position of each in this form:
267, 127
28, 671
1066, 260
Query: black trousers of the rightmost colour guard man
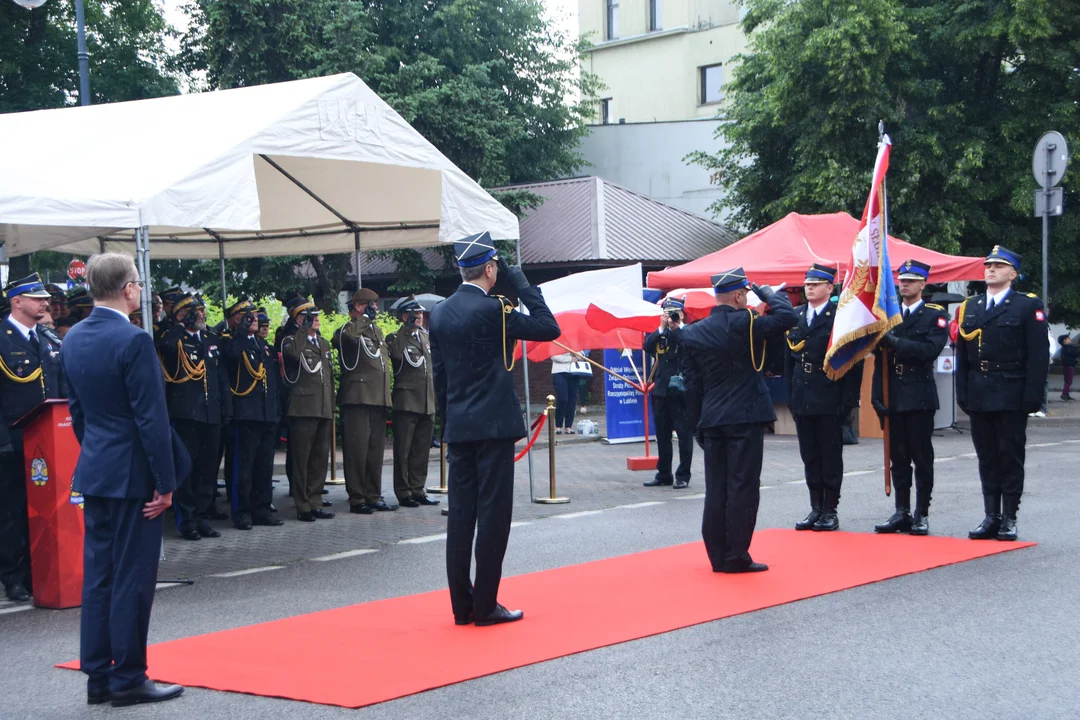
1000, 440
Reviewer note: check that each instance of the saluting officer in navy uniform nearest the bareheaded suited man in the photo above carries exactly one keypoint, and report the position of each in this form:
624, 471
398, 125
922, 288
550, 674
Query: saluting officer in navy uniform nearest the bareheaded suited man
199, 401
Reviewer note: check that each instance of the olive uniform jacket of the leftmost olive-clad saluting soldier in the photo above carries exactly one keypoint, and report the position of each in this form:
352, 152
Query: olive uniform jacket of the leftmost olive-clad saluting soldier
309, 376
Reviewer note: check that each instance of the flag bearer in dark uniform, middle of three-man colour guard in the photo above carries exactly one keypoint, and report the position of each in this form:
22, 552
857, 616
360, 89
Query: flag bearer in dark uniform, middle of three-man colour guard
914, 346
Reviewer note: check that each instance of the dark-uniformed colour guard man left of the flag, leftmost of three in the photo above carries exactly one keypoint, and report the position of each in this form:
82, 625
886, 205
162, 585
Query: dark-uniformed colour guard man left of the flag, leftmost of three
818, 404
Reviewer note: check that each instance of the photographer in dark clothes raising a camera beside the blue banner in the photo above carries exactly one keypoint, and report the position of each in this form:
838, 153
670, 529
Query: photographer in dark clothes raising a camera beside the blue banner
669, 406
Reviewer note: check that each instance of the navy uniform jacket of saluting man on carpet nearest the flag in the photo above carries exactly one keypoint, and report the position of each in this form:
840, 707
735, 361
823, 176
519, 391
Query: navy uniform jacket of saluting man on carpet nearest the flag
723, 386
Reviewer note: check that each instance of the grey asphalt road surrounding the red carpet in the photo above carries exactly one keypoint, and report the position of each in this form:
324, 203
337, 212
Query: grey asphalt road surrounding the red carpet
996, 637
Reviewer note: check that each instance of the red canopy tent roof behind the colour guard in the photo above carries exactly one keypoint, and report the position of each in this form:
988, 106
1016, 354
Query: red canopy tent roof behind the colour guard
782, 252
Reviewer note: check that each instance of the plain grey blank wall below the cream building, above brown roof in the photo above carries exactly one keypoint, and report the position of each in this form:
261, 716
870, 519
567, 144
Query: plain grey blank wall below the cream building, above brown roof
647, 158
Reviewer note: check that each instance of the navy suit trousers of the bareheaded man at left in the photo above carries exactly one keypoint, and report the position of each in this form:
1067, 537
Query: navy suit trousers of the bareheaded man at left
120, 570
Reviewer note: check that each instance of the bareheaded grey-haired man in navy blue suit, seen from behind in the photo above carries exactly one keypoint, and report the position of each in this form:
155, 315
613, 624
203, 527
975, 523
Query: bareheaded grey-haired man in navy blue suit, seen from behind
127, 476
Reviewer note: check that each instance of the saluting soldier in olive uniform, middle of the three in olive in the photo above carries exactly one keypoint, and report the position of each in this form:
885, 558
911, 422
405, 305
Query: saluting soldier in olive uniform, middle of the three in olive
364, 397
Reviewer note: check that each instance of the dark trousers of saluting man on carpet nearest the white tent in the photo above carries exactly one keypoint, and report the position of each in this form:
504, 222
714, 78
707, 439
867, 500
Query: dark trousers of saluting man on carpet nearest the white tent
481, 498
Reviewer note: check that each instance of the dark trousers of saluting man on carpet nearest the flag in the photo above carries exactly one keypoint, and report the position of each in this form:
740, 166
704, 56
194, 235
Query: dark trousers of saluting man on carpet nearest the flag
733, 492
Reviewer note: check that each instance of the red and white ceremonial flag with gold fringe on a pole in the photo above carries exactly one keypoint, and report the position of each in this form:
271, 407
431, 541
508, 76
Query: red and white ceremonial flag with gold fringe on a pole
868, 307
